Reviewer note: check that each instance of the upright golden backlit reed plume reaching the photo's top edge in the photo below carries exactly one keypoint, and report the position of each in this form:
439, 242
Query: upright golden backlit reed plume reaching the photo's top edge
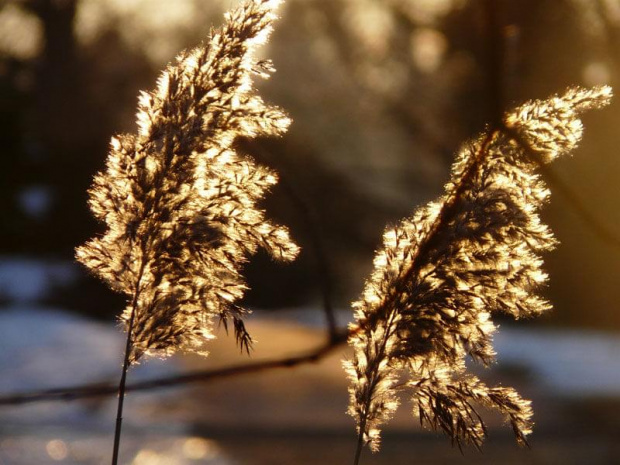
178, 201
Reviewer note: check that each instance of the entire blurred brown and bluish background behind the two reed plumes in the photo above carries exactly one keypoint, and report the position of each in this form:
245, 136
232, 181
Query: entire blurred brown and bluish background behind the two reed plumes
381, 93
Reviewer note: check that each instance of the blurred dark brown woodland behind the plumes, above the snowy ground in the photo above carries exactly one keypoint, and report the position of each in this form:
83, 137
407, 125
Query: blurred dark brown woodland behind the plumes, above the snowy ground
382, 93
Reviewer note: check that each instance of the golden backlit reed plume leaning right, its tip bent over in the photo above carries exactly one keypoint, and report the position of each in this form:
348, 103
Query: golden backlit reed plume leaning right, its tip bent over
443, 272
